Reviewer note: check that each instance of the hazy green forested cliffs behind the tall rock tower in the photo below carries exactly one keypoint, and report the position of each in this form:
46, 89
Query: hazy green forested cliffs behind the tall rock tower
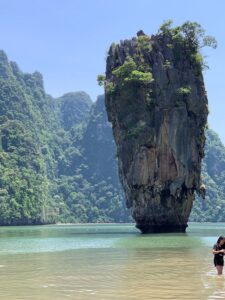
58, 158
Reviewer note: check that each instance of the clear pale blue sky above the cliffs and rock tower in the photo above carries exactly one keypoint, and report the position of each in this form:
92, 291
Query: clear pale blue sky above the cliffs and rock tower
67, 40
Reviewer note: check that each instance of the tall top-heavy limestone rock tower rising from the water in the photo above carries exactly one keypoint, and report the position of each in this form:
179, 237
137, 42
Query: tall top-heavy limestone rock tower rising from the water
157, 103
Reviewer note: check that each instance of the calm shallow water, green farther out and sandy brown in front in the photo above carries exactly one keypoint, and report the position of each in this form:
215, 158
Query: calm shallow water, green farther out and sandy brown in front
108, 262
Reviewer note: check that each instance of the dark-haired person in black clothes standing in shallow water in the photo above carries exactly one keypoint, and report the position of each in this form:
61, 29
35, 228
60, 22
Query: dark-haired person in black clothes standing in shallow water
218, 252
